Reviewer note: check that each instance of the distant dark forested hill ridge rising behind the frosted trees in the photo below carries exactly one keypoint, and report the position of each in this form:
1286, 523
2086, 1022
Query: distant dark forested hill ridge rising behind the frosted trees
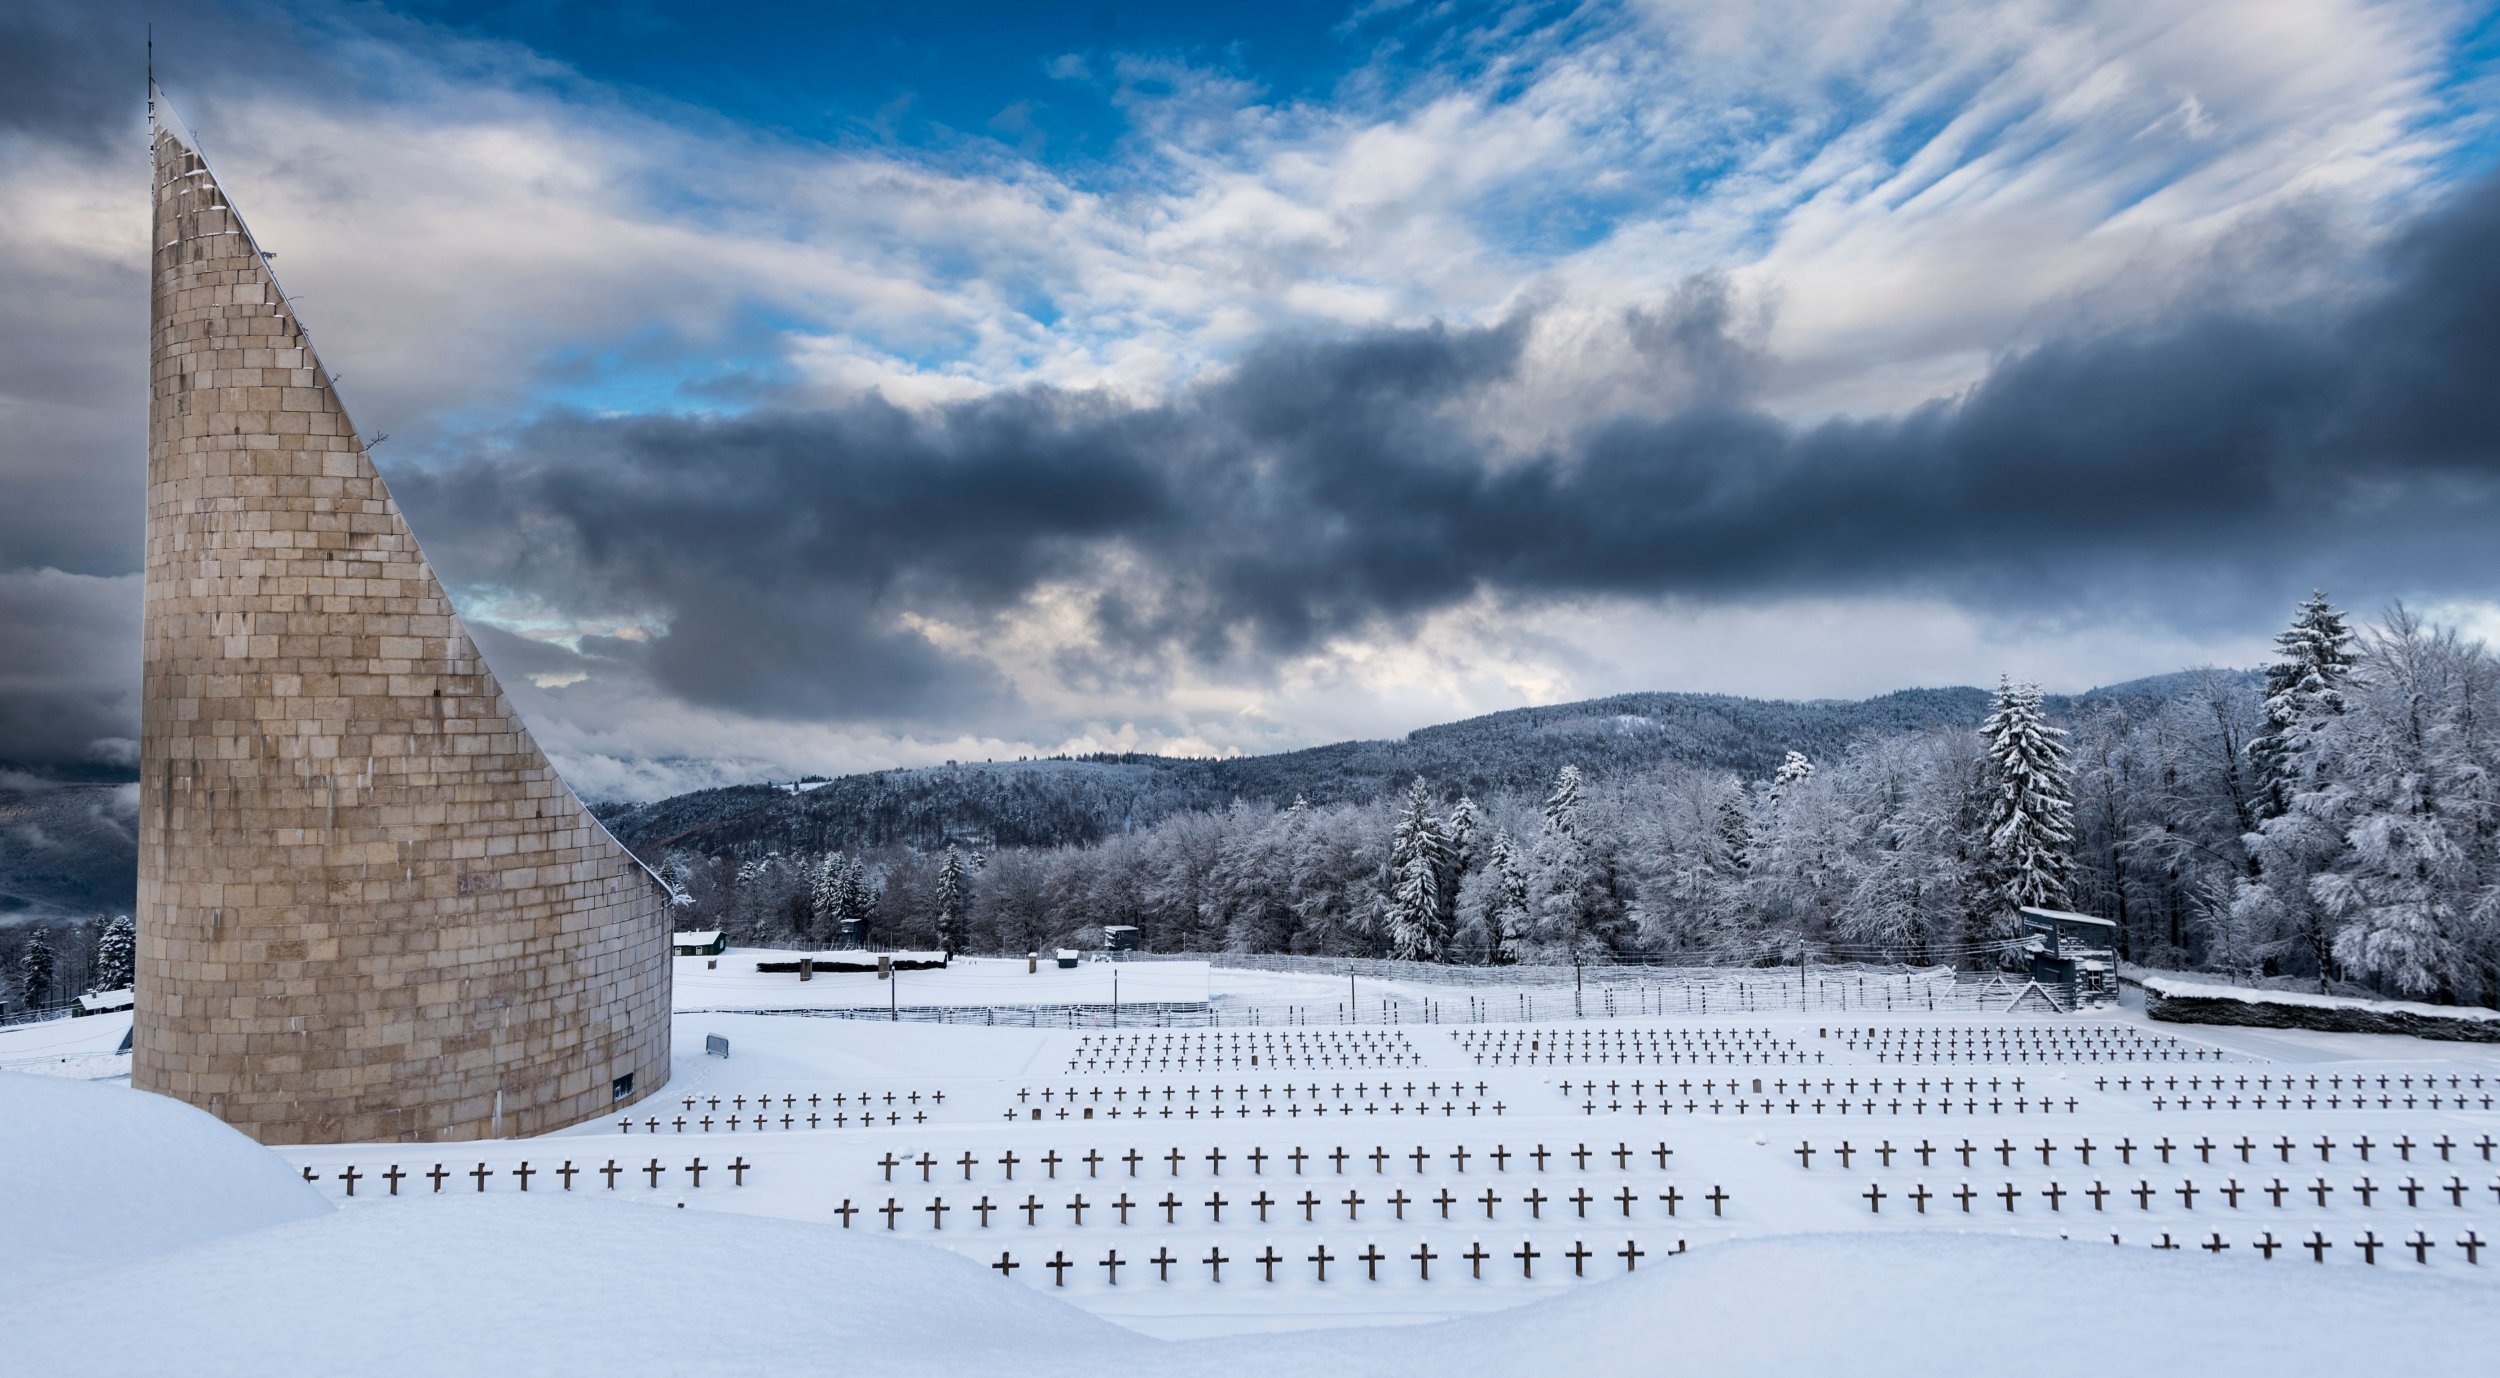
1036, 804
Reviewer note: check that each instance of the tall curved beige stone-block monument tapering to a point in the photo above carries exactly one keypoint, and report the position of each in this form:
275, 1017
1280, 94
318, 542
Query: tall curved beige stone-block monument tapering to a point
369, 907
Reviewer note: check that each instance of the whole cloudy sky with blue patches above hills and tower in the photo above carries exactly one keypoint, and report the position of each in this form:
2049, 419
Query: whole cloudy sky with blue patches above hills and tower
824, 386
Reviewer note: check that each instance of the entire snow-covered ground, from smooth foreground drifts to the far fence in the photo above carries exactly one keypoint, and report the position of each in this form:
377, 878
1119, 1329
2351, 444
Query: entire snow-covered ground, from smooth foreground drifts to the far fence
1779, 1192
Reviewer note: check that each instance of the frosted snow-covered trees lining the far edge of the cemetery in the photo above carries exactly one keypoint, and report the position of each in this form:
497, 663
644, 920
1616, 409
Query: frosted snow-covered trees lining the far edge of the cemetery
2334, 824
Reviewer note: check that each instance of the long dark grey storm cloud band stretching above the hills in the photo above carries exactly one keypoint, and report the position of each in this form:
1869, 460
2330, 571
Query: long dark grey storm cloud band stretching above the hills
2191, 471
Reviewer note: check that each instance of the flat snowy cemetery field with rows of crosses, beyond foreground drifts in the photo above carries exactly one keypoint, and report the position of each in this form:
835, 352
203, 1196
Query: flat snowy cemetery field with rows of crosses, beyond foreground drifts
1166, 1194
